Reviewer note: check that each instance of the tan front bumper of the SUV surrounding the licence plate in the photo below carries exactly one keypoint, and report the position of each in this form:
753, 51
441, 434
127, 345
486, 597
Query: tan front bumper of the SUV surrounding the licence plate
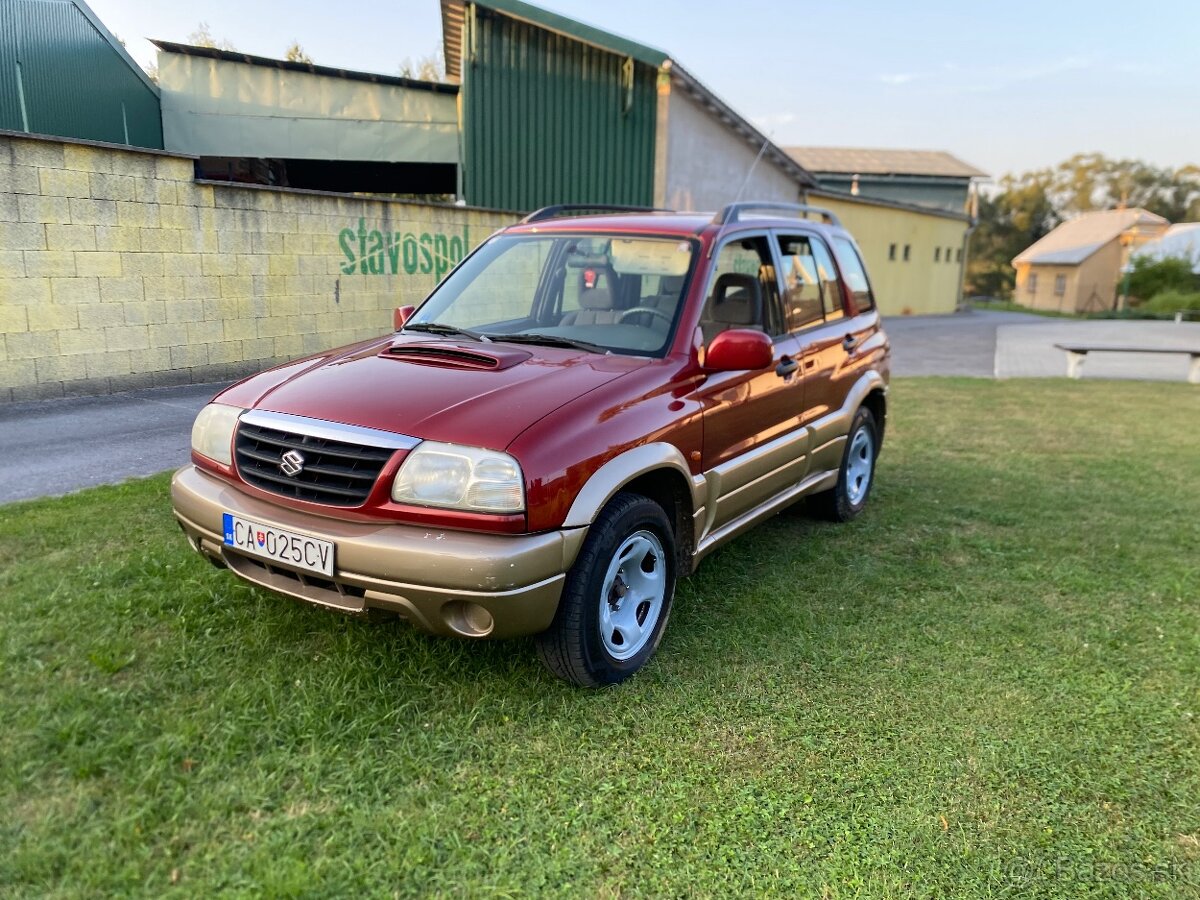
446, 583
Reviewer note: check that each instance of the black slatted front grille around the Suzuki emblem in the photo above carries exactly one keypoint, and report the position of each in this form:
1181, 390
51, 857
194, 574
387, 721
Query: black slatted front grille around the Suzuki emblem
335, 473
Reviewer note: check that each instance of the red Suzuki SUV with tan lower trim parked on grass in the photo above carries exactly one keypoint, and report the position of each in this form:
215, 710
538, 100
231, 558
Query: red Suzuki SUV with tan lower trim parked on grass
578, 415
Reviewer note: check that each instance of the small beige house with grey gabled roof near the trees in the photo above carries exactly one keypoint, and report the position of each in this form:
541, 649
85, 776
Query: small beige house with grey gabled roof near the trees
1078, 267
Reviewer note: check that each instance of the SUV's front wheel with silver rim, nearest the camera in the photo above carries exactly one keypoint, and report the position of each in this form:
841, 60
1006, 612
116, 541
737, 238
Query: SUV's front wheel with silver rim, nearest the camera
617, 597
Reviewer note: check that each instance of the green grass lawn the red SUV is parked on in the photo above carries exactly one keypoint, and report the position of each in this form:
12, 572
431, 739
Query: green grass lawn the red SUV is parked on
989, 686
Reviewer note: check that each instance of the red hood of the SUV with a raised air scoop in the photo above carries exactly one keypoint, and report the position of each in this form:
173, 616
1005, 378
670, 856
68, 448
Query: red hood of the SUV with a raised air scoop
465, 393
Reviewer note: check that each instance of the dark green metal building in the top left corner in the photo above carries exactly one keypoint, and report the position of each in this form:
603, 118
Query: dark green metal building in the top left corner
64, 74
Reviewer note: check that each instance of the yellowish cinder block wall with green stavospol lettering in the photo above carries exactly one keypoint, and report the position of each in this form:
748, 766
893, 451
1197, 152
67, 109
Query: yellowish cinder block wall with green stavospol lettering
119, 272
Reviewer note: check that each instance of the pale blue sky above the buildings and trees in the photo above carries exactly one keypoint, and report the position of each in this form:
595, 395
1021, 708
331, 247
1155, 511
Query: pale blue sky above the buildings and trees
1006, 87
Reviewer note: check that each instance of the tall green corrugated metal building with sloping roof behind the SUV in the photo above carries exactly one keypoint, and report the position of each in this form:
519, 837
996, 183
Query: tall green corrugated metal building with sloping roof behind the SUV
555, 111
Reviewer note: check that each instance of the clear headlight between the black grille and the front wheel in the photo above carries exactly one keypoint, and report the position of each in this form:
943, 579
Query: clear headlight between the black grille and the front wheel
460, 478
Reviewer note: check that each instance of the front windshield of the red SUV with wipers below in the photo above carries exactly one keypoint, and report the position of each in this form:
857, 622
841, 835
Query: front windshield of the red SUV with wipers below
601, 293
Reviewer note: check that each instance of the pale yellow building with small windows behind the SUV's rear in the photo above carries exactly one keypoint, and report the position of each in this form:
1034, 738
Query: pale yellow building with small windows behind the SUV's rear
915, 255
